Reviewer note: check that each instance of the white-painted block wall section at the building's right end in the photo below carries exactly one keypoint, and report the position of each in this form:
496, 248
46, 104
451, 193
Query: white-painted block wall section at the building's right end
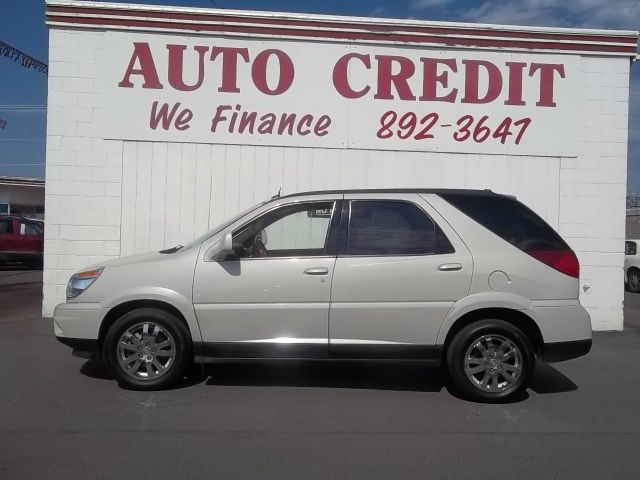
593, 189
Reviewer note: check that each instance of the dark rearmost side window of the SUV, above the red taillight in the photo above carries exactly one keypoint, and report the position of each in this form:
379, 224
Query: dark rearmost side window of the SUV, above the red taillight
509, 219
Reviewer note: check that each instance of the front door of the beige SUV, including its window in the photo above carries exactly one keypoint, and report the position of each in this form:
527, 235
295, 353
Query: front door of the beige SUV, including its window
272, 296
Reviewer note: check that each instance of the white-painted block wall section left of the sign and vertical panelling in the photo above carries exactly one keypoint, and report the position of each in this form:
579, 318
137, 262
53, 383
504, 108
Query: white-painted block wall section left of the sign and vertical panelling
83, 171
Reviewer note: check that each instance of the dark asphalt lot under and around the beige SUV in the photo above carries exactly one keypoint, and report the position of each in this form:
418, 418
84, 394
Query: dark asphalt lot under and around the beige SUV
63, 418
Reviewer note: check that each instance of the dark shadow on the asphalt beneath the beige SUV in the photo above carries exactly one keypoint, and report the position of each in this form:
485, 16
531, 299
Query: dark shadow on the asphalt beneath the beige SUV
364, 375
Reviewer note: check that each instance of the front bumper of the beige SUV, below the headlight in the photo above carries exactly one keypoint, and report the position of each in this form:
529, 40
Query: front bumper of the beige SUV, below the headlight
77, 325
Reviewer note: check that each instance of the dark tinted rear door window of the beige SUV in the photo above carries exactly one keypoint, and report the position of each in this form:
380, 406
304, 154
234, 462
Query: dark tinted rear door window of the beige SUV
391, 228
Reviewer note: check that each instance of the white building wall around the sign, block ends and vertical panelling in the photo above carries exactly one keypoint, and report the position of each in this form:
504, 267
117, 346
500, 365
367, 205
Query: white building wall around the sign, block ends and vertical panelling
110, 198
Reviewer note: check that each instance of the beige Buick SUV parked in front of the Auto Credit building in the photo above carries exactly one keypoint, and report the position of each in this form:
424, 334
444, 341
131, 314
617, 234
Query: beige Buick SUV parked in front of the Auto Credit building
472, 279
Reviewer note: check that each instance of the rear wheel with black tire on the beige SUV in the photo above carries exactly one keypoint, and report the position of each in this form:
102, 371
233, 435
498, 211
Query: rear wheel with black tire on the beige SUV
466, 345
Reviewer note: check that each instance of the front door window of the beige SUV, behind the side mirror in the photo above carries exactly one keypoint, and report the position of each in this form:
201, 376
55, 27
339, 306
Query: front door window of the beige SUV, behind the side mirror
298, 230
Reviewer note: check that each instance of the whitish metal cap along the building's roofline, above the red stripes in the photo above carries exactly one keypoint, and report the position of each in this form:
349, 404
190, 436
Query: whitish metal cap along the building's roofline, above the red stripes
339, 18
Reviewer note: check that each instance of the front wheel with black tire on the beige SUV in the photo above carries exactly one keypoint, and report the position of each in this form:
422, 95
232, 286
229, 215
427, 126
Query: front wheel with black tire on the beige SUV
171, 330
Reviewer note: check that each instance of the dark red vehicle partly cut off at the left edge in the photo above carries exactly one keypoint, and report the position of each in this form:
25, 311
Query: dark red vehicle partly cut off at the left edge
21, 241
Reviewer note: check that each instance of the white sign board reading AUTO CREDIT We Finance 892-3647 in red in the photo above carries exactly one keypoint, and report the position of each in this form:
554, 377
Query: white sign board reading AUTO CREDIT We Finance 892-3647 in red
335, 95
